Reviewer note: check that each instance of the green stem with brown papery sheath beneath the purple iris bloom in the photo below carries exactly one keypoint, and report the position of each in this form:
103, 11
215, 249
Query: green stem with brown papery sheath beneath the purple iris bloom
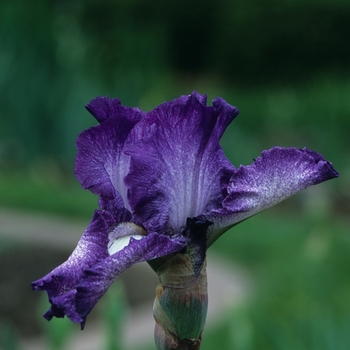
180, 306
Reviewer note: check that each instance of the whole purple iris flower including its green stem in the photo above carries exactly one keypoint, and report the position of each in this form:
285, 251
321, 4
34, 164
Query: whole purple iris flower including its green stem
166, 193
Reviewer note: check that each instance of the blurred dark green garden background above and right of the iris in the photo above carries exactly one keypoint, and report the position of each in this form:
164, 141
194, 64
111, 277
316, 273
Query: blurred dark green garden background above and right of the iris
284, 64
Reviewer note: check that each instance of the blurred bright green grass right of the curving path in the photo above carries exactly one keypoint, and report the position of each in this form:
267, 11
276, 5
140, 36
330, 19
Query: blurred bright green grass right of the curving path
300, 269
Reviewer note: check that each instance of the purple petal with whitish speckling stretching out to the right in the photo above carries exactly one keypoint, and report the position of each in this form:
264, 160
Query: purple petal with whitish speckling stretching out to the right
276, 175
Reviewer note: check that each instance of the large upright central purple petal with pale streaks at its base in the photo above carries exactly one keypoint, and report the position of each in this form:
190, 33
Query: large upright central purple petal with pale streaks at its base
178, 167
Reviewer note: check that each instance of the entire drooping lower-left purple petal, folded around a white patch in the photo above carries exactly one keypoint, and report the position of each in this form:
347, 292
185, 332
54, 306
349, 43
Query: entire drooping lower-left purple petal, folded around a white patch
76, 286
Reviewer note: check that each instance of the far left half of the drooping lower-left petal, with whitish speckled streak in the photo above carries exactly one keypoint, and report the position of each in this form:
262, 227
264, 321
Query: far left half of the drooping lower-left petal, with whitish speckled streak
60, 284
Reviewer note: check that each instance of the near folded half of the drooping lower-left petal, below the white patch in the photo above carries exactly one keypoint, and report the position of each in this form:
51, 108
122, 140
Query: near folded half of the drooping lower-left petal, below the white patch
96, 280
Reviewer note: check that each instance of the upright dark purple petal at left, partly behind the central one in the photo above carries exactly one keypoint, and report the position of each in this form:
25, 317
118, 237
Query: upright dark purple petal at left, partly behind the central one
101, 164
